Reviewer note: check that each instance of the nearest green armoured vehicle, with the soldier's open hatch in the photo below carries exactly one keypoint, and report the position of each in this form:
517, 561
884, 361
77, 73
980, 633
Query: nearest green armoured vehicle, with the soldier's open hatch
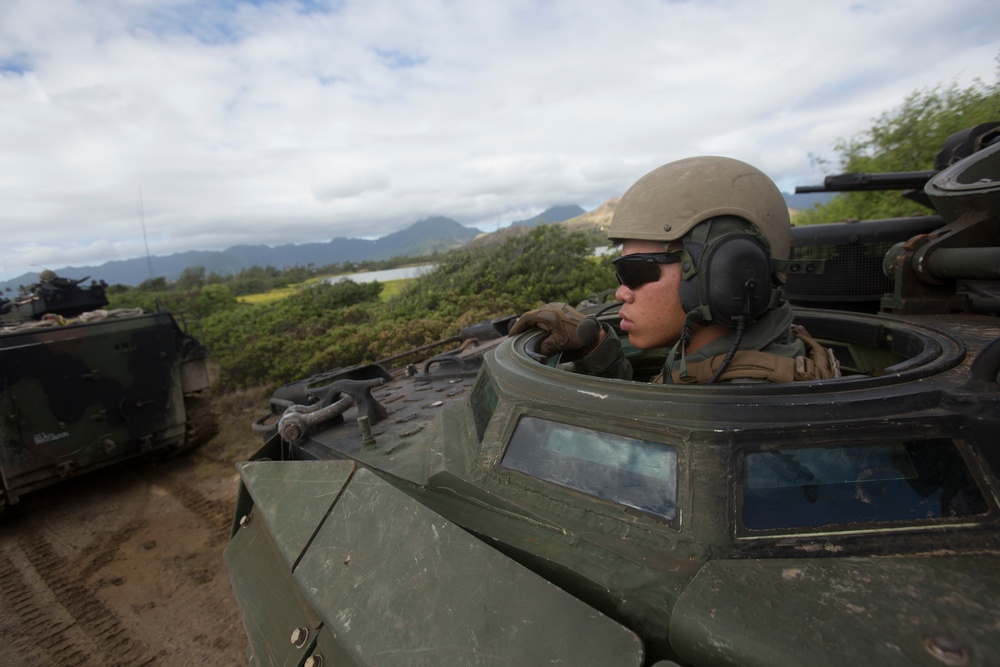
482, 507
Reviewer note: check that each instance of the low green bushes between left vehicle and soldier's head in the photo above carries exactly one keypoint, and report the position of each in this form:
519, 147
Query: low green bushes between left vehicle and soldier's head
320, 326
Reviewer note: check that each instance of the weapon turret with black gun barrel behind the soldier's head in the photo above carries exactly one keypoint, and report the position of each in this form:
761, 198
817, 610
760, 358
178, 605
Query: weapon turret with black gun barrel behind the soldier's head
943, 263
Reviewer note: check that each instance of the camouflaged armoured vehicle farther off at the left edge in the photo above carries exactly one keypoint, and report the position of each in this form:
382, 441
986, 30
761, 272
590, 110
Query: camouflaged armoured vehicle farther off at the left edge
83, 387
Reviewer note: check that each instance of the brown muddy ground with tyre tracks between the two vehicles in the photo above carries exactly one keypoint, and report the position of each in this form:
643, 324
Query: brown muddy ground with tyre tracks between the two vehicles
124, 566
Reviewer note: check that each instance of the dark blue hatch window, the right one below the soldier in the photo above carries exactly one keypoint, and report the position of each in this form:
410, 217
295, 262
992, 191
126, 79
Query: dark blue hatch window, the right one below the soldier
825, 486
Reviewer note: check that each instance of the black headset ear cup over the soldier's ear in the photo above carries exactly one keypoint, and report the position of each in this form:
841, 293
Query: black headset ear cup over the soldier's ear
735, 279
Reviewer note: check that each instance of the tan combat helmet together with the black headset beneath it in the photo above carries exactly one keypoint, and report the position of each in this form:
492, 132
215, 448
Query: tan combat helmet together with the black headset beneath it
734, 227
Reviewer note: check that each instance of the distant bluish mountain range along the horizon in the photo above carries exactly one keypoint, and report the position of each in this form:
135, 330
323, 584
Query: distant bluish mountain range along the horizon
434, 234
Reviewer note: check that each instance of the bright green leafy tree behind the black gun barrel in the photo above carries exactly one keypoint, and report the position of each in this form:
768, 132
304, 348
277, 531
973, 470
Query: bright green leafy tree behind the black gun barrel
905, 139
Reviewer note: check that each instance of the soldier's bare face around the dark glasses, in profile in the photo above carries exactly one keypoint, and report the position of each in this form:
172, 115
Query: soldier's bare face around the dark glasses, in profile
652, 315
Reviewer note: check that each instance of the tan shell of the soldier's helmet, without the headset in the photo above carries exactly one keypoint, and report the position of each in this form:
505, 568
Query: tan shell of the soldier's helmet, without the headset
668, 202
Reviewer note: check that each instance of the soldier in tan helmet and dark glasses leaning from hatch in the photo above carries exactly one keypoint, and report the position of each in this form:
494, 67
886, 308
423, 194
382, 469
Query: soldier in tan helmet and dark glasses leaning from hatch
705, 243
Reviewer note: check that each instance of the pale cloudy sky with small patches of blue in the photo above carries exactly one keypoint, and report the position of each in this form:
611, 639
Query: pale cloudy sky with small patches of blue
260, 121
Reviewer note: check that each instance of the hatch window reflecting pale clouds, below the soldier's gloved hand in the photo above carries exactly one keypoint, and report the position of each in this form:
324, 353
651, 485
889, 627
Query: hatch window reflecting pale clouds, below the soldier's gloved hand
632, 472
